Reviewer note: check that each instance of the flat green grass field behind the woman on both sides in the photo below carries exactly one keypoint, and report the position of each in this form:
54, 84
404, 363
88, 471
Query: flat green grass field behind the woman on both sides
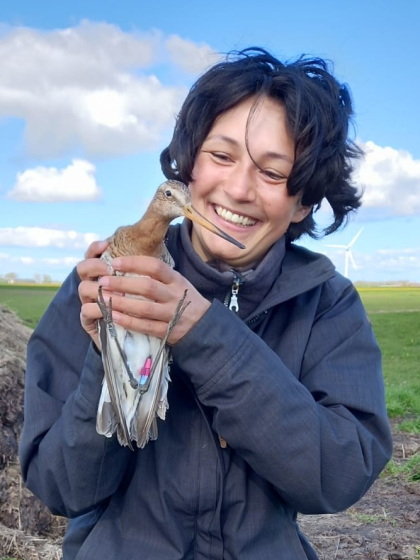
395, 316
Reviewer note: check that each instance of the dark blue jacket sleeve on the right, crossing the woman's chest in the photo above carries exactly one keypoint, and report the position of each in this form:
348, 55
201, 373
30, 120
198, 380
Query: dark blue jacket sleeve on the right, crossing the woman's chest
320, 434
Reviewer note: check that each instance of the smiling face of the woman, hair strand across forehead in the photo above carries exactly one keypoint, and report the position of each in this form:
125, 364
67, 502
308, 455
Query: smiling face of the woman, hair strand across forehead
249, 203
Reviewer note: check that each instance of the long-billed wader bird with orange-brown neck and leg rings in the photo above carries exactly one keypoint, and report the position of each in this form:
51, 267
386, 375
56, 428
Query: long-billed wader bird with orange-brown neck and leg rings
134, 391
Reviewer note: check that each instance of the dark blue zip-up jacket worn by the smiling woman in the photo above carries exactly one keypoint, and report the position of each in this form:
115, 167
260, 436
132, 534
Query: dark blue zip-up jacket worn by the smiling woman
296, 391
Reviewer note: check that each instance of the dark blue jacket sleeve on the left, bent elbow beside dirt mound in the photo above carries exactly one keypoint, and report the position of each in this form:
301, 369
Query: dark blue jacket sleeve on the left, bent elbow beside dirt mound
64, 461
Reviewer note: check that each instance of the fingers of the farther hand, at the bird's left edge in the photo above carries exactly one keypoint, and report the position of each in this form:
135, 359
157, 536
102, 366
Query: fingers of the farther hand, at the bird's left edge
89, 271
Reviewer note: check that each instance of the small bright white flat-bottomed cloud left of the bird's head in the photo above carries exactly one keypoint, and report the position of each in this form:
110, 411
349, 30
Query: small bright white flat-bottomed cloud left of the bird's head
49, 184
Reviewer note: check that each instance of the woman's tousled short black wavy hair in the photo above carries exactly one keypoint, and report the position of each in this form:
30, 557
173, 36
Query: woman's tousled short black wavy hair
318, 114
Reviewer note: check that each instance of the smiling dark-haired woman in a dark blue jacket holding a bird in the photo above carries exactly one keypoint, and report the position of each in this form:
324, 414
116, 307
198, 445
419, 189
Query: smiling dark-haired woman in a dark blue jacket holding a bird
276, 401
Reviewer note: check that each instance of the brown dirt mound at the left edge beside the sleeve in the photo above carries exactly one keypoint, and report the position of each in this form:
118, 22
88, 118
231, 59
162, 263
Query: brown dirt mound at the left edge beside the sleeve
25, 523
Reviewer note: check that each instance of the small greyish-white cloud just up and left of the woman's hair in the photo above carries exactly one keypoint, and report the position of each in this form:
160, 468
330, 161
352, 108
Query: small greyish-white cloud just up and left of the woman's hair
190, 57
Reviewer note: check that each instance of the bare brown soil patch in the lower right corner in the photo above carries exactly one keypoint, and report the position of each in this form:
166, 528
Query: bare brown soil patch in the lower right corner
384, 525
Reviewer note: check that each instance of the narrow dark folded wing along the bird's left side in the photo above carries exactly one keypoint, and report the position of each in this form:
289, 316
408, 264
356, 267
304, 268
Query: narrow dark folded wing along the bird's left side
112, 384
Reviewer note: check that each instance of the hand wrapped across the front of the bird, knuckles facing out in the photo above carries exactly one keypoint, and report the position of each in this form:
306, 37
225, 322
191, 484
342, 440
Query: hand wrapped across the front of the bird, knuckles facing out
161, 288
